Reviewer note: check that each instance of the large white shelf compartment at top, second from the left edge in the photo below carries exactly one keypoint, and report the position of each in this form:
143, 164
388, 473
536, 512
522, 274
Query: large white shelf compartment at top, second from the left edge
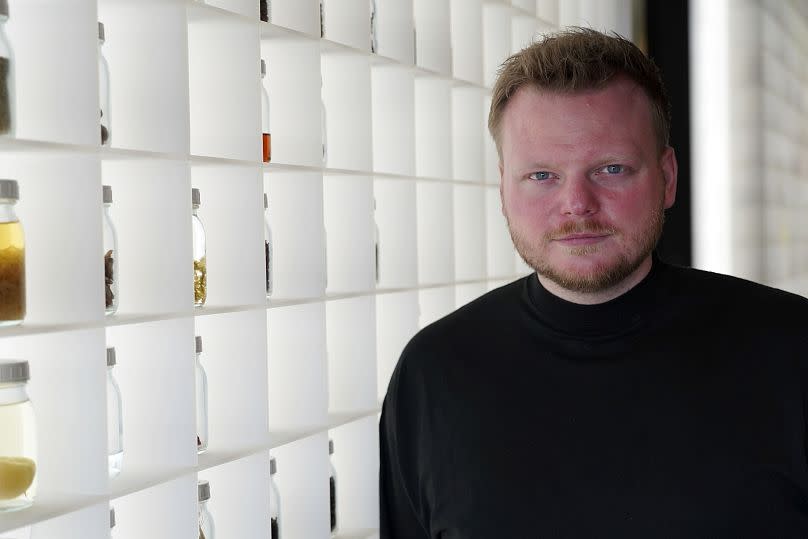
148, 76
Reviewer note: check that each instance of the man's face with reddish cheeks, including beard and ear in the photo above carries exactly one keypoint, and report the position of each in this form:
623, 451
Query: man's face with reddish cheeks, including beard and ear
583, 185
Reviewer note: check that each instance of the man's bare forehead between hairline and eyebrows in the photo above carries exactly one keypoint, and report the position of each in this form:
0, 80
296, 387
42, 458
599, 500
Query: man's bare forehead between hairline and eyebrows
617, 116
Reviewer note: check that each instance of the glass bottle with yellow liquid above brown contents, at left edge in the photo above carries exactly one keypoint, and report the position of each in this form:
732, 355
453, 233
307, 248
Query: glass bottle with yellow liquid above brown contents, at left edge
12, 257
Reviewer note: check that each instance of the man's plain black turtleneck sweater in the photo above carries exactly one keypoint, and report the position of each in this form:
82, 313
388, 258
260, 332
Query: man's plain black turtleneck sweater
677, 410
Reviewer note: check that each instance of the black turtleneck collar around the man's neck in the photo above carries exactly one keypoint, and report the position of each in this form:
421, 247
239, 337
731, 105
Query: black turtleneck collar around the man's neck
619, 316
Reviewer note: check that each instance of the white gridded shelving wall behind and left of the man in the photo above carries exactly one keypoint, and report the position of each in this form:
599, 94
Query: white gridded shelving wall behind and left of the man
406, 127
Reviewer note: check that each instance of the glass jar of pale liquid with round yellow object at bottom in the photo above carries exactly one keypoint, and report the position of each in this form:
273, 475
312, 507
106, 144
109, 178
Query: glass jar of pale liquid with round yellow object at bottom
18, 444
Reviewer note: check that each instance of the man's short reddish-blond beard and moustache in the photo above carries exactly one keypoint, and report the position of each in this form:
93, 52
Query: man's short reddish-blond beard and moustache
600, 276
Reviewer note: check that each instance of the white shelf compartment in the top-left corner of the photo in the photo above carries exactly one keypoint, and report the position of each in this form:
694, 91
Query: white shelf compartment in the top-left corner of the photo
56, 41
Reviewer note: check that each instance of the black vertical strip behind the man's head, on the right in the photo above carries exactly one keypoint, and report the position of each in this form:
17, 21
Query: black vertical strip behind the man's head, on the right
666, 37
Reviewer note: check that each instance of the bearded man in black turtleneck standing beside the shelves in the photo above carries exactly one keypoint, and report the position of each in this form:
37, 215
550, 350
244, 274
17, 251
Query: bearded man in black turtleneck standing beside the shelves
609, 394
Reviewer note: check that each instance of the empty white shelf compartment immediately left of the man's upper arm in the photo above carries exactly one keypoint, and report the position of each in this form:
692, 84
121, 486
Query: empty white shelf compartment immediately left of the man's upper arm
351, 354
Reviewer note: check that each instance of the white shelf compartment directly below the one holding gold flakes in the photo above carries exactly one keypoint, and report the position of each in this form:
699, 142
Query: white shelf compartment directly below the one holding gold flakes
234, 351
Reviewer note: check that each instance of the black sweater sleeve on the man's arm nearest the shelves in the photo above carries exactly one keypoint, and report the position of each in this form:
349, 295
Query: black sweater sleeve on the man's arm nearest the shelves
399, 514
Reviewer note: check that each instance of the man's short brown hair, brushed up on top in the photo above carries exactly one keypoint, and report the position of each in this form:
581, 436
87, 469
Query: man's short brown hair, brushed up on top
578, 59
